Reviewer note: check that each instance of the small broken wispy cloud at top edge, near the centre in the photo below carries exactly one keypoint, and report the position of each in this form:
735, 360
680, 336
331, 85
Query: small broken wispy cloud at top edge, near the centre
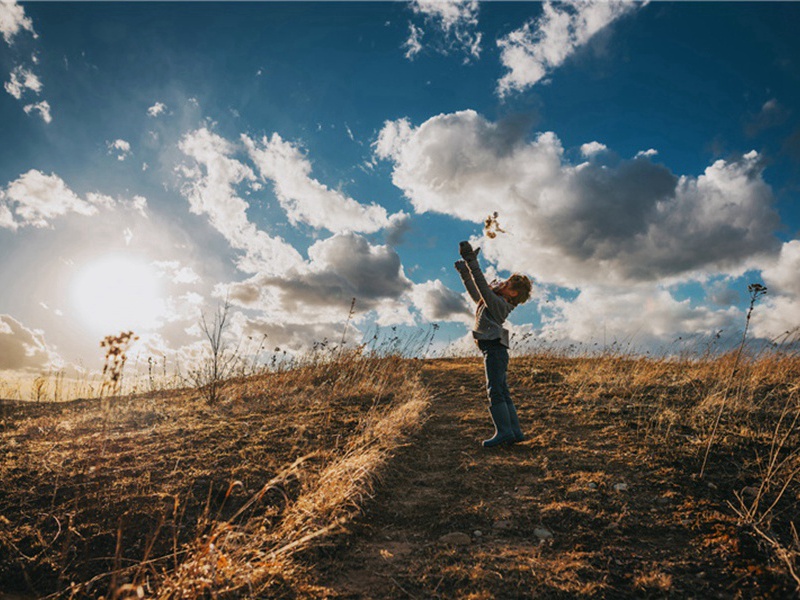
455, 21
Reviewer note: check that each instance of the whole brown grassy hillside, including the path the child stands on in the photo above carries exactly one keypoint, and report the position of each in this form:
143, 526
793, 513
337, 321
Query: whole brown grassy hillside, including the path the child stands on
365, 479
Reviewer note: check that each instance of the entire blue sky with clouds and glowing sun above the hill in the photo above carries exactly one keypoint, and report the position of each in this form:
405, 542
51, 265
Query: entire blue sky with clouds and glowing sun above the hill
643, 159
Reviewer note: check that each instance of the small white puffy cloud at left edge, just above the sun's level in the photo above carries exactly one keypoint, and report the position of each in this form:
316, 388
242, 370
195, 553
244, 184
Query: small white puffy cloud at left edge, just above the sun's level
35, 199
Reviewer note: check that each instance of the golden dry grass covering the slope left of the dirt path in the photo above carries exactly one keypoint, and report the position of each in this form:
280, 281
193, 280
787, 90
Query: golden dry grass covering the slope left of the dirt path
163, 494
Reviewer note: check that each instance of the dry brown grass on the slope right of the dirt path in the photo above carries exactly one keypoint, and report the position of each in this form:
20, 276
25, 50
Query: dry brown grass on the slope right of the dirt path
733, 420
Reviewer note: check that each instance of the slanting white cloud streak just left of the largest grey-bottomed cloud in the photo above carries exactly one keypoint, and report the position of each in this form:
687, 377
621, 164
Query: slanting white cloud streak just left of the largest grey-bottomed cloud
305, 199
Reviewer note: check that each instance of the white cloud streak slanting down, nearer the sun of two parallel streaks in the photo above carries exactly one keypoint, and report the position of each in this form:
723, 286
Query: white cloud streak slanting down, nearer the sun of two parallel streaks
211, 190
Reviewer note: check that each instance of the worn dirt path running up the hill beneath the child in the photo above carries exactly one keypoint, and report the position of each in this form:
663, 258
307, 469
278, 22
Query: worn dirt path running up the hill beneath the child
580, 508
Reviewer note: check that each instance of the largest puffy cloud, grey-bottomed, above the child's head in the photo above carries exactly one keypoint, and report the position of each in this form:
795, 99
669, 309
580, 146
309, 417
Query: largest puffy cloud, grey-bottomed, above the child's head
626, 220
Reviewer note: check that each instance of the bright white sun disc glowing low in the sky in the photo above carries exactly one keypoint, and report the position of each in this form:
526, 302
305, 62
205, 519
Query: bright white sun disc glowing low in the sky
118, 293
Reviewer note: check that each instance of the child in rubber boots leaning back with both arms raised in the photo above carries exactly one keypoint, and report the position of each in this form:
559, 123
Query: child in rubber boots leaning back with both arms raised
495, 302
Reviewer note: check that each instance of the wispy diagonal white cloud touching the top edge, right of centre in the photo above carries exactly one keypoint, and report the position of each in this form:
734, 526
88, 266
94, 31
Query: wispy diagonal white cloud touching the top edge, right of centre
543, 44
